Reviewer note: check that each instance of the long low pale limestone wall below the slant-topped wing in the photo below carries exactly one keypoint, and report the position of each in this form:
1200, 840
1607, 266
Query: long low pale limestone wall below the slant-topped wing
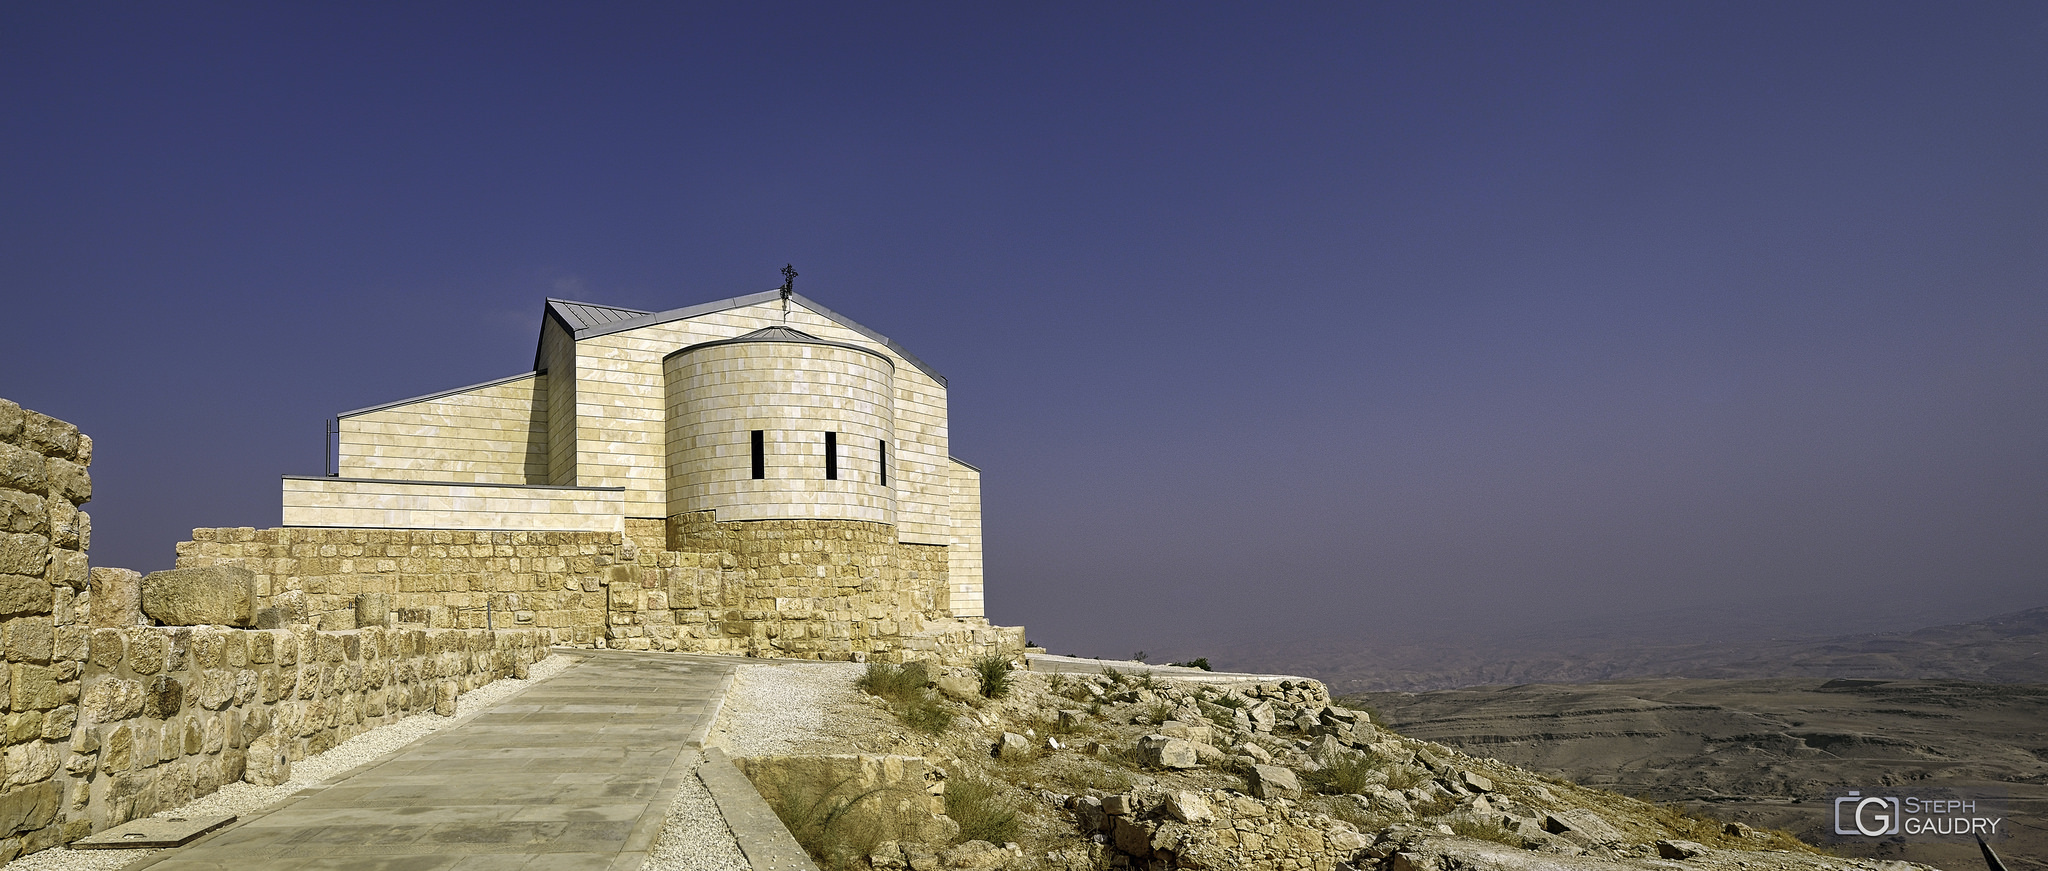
417, 505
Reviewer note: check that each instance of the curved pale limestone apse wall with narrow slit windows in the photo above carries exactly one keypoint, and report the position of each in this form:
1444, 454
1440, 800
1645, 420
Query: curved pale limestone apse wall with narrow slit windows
794, 392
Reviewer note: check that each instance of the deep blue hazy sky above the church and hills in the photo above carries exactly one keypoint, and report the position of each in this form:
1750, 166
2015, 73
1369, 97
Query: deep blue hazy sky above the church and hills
1289, 319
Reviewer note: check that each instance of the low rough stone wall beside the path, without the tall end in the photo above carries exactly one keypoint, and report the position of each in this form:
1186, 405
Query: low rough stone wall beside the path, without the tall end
171, 714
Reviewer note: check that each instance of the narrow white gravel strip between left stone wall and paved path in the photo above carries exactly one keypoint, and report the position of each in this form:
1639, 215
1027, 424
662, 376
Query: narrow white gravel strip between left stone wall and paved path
249, 798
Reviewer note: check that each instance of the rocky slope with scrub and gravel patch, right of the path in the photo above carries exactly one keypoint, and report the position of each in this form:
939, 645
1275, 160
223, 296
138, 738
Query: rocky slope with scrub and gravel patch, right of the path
1134, 772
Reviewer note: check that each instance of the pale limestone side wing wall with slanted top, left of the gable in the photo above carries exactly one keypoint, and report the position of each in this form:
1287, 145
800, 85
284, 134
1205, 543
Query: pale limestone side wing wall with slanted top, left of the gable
486, 435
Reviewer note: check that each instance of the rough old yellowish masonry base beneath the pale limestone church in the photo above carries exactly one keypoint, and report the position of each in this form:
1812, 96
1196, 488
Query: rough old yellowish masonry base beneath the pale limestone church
796, 589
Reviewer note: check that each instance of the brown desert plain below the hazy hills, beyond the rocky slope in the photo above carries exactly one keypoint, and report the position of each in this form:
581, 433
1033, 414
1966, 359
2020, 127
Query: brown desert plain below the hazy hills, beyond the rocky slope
1768, 753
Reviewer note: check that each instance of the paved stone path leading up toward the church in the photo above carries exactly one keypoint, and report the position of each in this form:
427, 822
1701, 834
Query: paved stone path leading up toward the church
574, 774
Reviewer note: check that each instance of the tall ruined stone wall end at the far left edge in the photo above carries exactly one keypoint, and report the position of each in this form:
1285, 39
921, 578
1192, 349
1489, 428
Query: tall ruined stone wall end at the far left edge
44, 544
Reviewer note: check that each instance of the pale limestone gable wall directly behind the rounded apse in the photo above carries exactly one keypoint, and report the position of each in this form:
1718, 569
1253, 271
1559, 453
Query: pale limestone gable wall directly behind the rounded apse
622, 429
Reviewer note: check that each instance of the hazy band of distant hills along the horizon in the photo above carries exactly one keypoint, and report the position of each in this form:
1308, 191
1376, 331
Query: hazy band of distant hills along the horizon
2010, 649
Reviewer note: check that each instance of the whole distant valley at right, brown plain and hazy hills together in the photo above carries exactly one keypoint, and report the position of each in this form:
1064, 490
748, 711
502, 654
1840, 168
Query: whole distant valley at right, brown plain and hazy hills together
1758, 733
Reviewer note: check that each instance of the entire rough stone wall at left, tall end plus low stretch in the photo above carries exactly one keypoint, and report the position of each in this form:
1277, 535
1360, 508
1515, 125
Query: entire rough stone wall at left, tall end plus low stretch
108, 720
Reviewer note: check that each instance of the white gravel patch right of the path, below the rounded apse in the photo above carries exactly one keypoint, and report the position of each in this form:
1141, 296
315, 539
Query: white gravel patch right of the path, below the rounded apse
777, 710
